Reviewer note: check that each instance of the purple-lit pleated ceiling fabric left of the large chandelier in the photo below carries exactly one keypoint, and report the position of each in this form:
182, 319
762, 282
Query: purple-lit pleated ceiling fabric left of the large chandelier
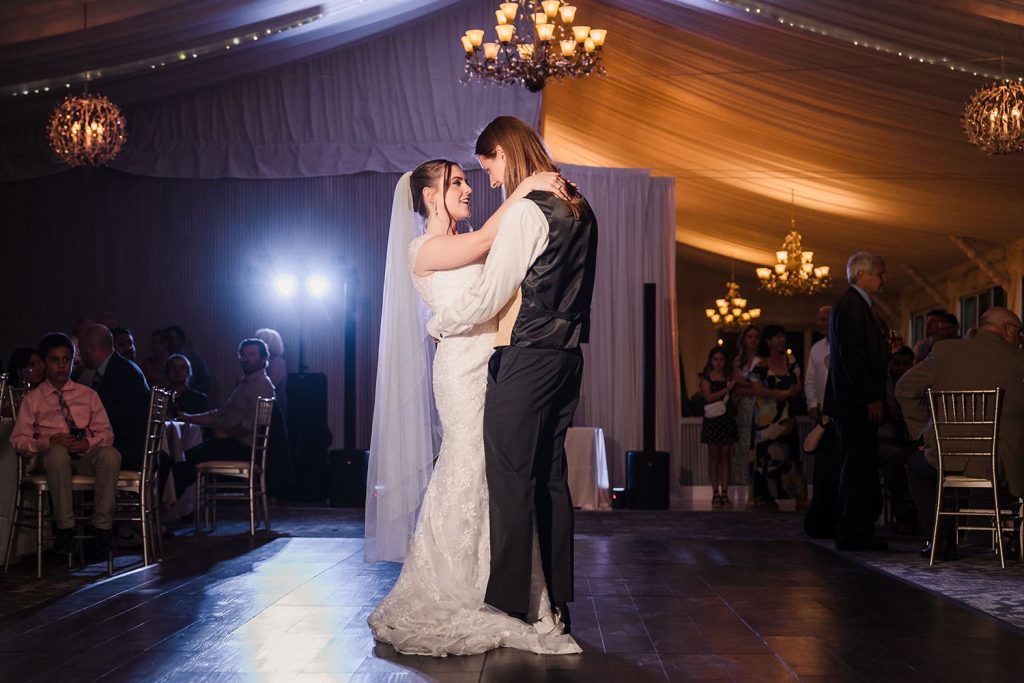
382, 105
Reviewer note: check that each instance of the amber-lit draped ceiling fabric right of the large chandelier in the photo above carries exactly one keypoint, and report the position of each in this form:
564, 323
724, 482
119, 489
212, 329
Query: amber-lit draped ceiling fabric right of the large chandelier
742, 110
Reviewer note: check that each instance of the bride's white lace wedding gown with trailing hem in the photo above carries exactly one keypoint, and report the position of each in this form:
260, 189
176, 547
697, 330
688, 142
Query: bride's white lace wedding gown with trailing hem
437, 607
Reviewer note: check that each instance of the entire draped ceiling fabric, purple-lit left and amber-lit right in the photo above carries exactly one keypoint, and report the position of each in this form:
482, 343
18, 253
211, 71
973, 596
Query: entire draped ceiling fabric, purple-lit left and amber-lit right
739, 108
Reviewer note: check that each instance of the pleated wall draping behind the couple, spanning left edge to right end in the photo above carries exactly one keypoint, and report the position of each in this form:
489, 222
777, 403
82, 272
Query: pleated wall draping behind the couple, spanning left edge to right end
151, 252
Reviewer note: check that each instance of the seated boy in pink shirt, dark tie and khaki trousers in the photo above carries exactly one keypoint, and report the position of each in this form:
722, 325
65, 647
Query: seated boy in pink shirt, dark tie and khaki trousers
64, 428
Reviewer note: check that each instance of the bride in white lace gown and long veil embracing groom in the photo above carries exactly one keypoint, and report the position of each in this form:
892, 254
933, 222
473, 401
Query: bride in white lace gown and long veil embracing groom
437, 607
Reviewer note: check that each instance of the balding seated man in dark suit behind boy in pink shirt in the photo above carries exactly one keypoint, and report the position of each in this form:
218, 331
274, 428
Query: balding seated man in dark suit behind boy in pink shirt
123, 390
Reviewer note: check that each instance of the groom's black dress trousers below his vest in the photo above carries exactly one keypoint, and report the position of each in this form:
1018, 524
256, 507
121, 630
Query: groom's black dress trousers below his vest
532, 396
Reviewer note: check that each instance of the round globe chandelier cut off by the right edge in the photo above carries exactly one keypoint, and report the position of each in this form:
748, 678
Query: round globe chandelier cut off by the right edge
993, 118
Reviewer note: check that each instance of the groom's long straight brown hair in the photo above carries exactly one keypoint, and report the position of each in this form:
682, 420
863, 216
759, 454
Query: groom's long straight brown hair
525, 154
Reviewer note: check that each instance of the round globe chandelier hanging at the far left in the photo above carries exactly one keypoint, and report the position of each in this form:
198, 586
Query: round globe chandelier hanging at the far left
87, 131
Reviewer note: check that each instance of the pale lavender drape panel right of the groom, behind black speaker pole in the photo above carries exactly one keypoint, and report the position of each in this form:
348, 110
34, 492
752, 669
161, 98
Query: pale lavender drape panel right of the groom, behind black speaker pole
636, 223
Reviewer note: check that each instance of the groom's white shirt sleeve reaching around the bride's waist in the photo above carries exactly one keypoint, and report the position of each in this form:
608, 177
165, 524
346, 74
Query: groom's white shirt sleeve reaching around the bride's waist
523, 237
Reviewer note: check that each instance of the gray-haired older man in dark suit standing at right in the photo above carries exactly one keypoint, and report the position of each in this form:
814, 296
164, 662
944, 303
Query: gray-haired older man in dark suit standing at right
856, 400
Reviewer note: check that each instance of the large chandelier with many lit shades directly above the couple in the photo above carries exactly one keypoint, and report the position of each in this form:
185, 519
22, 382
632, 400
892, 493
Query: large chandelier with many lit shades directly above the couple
537, 41
